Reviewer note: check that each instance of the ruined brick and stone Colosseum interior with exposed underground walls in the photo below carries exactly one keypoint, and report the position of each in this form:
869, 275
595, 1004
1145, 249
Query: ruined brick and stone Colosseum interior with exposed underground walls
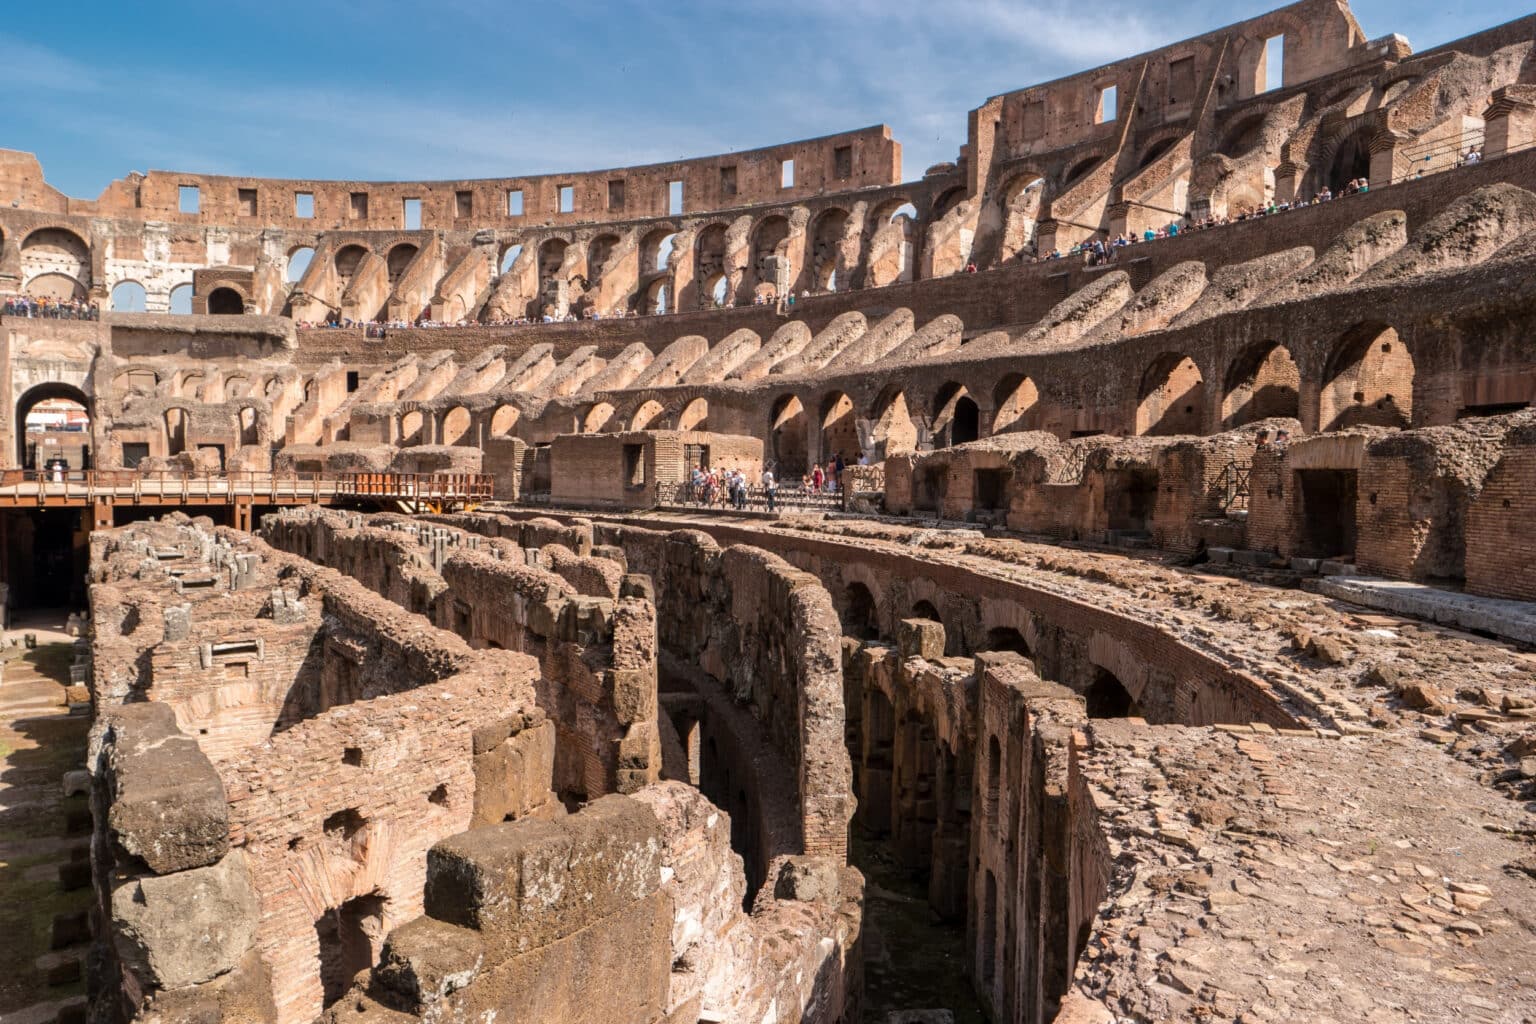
1134, 633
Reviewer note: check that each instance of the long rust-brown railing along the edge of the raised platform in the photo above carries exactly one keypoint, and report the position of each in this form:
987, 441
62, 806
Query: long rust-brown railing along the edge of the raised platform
47, 487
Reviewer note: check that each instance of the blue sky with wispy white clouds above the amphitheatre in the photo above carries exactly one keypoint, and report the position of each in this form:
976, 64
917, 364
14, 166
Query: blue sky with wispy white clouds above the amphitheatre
386, 90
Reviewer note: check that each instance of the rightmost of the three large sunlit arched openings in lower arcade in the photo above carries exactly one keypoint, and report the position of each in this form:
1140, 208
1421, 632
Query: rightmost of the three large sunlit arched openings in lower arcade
1369, 382
